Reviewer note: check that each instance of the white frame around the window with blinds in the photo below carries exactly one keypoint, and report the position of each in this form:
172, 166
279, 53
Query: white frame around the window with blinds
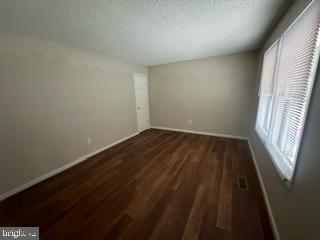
267, 138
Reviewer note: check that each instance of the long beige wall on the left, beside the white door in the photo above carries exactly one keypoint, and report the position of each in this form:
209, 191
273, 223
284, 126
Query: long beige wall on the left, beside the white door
52, 98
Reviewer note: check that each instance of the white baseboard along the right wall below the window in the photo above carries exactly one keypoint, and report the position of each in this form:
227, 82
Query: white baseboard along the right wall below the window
266, 199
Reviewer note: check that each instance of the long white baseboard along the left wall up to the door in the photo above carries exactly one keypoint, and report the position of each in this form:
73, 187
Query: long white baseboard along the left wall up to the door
59, 170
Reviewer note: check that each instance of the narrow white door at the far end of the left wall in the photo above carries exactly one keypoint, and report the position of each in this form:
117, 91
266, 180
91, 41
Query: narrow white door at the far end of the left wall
142, 101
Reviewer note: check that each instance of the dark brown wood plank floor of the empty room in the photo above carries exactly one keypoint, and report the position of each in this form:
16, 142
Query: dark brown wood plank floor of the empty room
156, 185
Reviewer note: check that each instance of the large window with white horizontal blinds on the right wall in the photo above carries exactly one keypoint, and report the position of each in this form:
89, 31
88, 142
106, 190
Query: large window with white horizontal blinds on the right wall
288, 73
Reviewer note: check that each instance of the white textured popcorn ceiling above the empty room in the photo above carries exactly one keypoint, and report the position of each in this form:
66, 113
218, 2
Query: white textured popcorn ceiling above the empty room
145, 31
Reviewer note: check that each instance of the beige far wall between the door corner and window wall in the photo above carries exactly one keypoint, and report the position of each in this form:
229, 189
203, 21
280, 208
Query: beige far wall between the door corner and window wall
214, 93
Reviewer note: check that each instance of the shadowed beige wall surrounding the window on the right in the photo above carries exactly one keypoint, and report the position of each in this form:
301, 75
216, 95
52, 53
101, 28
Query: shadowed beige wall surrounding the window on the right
296, 210
